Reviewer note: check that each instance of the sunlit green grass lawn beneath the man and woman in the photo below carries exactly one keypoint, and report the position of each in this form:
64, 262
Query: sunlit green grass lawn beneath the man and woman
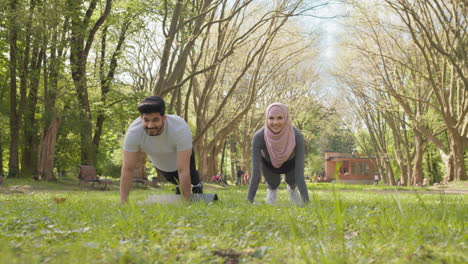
352, 226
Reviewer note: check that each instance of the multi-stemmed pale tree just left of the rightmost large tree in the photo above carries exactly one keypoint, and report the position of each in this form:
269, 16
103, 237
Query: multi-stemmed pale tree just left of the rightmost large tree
404, 73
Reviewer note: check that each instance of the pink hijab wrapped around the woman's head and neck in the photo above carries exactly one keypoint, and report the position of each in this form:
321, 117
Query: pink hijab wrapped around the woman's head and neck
281, 145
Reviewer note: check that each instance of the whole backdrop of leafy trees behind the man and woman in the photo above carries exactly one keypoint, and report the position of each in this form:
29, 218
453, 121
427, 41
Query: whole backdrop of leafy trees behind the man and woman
72, 73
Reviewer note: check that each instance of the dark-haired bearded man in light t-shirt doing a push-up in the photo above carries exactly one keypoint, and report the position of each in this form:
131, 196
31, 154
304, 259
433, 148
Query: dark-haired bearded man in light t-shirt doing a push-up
167, 141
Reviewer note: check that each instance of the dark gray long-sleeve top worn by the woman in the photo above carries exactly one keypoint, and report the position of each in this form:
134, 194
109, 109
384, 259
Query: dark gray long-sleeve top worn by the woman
259, 146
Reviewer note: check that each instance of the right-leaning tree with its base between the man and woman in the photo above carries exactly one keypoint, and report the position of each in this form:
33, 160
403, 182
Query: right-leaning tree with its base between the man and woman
241, 79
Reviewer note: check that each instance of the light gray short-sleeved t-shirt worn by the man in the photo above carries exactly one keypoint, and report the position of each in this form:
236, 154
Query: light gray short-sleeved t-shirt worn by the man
161, 150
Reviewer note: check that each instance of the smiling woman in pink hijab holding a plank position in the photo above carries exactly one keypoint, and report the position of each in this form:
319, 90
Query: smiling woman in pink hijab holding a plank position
277, 149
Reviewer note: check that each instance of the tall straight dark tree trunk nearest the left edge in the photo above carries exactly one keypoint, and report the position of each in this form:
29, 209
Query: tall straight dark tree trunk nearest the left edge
13, 165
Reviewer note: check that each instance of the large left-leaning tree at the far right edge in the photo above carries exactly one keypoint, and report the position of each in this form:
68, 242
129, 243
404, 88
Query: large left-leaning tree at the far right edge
439, 29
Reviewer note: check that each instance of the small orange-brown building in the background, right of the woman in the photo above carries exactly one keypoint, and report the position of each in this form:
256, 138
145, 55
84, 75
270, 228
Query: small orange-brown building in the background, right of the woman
349, 168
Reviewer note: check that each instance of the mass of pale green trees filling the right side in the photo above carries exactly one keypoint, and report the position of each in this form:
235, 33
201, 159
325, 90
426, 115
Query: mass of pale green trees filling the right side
399, 70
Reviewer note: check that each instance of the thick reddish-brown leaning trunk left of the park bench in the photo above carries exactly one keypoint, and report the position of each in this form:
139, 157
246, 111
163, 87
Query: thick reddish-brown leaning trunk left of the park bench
47, 150
